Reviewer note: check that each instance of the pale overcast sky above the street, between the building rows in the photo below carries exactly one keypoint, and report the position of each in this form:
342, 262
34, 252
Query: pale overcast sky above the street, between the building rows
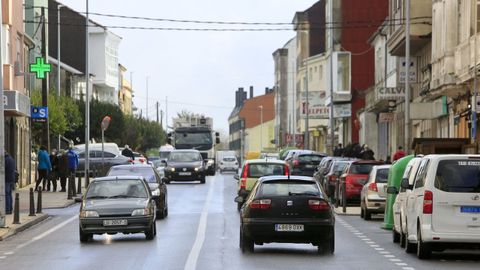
199, 71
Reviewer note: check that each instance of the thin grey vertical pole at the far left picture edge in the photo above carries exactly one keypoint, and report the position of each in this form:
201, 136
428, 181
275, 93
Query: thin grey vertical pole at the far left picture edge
2, 138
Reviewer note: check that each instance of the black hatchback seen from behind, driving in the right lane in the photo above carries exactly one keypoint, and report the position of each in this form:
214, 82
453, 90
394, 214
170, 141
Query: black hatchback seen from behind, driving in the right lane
287, 210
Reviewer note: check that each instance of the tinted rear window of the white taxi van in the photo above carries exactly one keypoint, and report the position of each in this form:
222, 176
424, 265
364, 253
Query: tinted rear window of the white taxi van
458, 176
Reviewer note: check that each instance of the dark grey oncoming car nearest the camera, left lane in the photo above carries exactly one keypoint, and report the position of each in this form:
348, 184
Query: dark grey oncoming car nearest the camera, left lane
117, 204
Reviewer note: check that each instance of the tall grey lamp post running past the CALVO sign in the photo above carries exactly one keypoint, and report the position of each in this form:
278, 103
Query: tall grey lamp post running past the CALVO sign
407, 76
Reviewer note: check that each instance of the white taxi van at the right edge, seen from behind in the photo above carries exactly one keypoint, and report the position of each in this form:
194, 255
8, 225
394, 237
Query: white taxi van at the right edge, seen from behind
443, 208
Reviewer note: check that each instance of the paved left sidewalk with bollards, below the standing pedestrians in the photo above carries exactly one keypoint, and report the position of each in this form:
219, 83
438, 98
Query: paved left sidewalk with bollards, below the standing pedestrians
49, 200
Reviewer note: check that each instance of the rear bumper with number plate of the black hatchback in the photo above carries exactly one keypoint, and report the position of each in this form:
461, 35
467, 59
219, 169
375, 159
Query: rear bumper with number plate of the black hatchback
263, 231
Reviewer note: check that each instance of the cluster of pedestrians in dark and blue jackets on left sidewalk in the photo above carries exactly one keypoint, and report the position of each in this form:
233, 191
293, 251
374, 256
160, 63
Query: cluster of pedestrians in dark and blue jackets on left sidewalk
55, 166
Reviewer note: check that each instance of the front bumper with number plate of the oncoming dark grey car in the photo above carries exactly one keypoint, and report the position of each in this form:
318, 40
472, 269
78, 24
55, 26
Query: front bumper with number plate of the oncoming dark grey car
135, 225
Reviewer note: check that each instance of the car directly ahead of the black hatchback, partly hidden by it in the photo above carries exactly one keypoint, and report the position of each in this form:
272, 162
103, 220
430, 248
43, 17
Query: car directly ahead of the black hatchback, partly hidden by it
254, 169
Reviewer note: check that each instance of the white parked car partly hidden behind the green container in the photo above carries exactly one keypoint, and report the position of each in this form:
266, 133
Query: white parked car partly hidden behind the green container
373, 195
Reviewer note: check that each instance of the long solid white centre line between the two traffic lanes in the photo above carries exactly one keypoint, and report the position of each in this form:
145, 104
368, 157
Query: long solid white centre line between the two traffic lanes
191, 263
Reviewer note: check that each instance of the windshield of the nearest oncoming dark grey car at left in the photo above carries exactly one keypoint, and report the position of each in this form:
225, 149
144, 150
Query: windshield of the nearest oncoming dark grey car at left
109, 189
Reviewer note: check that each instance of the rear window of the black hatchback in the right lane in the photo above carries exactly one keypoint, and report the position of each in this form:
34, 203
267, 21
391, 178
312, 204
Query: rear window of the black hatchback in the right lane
288, 188
